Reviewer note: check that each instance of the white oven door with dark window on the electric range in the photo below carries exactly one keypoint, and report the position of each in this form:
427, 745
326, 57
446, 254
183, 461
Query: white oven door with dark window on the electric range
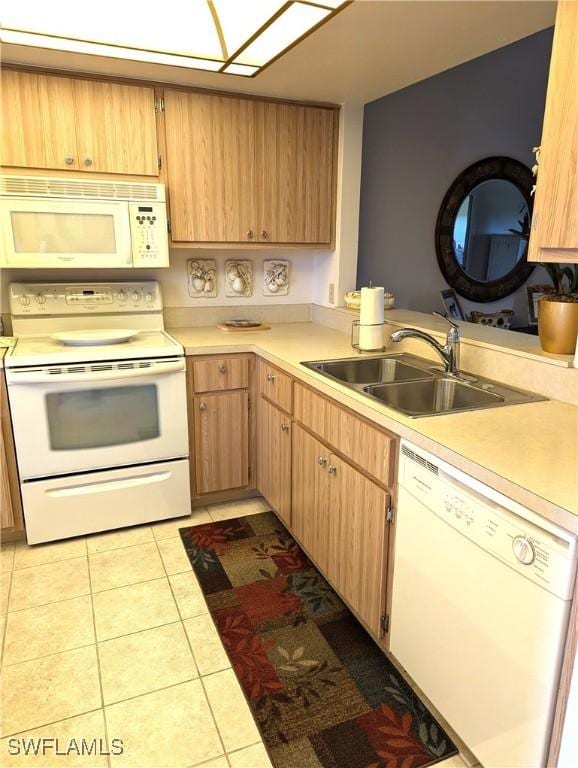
97, 416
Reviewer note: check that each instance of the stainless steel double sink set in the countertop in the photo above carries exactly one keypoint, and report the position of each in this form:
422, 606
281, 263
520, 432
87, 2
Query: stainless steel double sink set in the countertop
415, 387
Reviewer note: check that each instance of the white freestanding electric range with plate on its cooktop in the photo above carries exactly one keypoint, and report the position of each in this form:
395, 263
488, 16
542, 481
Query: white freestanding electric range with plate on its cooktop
97, 393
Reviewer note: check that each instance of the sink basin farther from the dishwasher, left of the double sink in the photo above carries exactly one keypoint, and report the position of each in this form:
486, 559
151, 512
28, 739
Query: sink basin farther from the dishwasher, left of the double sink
371, 370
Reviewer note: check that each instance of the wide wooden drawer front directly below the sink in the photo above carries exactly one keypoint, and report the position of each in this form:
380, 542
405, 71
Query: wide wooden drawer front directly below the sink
365, 445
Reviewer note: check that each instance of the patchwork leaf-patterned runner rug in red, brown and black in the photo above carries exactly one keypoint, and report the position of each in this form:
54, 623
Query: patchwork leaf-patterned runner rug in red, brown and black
322, 693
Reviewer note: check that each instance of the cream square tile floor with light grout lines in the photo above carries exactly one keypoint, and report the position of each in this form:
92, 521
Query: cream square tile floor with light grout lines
109, 637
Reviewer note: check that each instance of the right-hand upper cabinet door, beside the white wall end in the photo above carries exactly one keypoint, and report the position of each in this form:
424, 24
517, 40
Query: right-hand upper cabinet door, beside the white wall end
295, 173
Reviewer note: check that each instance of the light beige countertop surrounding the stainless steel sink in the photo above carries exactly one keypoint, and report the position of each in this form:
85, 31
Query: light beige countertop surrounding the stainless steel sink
528, 452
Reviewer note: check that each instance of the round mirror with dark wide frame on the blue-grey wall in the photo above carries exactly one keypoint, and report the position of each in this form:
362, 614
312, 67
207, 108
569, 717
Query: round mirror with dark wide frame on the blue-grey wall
483, 228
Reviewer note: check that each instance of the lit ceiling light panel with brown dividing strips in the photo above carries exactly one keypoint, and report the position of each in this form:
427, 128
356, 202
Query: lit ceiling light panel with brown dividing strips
233, 36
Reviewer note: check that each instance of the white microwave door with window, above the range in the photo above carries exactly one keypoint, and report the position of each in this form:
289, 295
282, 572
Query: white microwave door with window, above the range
64, 233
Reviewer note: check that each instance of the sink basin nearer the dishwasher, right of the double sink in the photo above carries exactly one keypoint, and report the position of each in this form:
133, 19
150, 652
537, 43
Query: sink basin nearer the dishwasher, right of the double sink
437, 395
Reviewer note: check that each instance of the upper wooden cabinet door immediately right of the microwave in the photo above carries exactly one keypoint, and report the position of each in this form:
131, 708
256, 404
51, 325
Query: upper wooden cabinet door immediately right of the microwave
210, 167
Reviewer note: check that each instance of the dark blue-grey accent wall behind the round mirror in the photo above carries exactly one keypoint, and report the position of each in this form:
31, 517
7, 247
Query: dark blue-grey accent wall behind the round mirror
417, 140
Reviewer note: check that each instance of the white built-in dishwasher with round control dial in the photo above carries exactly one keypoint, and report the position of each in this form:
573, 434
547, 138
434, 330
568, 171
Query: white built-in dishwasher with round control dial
481, 595
